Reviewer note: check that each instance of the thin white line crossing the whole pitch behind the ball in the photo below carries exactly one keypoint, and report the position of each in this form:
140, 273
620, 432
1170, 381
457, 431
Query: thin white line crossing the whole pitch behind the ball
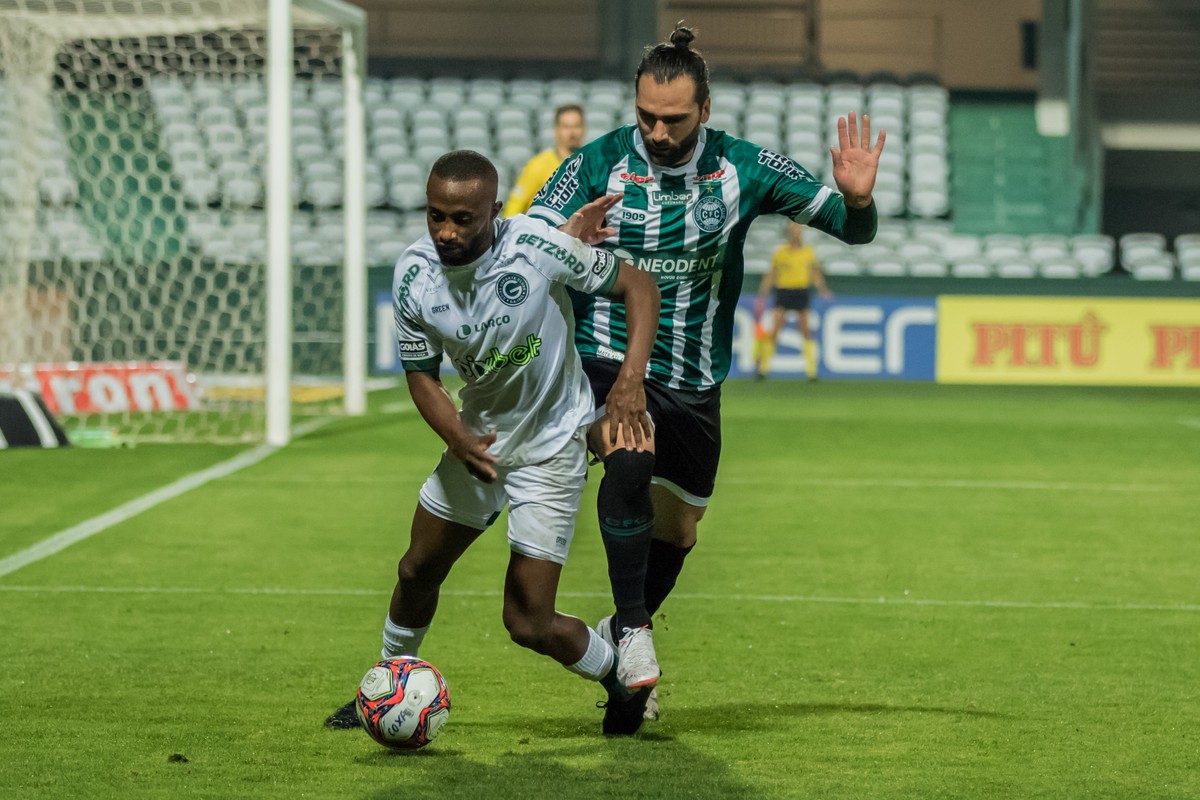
604, 596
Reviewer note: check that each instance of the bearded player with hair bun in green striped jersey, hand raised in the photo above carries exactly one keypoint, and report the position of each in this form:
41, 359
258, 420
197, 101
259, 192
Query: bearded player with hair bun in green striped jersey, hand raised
689, 196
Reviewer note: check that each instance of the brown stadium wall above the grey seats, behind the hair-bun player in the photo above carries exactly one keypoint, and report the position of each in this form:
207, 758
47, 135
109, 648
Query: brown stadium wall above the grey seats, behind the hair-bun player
964, 44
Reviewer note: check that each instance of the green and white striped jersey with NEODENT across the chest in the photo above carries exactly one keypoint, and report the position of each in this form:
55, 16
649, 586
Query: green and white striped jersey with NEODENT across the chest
687, 226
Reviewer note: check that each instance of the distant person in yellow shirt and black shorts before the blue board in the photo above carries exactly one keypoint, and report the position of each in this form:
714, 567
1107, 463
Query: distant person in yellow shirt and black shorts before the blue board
794, 269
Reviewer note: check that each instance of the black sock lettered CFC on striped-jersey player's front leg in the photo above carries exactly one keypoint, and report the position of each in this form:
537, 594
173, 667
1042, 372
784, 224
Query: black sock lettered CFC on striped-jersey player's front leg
627, 519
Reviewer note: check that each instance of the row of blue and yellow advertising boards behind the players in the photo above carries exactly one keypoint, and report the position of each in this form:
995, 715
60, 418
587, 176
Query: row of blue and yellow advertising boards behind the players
958, 339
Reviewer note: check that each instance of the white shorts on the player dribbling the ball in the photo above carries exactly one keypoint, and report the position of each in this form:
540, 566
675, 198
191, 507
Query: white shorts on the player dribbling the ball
543, 498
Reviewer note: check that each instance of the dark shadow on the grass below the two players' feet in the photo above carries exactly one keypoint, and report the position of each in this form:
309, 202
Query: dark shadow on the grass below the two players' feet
568, 757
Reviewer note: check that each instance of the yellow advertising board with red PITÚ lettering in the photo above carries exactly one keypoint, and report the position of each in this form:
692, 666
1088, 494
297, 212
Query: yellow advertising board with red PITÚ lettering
1097, 341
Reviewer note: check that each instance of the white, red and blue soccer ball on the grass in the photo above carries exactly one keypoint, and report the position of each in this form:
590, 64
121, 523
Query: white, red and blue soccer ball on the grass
404, 702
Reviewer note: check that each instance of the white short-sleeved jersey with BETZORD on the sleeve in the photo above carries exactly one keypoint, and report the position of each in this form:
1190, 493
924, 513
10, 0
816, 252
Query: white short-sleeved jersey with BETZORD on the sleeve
506, 322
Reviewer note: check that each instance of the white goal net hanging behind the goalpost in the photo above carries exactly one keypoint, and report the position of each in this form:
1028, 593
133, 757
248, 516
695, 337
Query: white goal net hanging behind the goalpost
135, 141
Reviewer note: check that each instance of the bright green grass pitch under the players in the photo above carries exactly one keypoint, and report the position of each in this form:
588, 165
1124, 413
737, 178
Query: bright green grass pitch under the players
901, 592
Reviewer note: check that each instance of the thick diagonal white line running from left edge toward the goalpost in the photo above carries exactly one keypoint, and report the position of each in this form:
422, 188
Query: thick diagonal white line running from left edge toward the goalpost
76, 534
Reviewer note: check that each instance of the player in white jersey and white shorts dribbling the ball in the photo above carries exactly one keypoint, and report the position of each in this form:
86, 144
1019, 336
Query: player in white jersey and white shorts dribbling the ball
491, 296
